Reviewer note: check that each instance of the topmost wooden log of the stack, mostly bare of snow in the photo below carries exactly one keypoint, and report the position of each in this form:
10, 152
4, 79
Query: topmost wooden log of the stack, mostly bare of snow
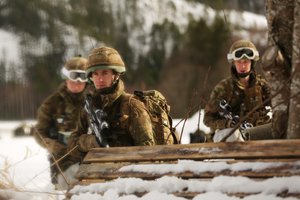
236, 150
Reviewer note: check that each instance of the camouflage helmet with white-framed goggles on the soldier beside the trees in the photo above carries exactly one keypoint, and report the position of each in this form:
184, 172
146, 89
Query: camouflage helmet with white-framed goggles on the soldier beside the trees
242, 49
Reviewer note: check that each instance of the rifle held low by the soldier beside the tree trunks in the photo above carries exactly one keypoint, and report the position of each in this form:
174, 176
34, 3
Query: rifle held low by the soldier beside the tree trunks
225, 111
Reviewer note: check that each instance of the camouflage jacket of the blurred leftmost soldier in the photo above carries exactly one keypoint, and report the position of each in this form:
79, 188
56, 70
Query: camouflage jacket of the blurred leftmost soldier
56, 119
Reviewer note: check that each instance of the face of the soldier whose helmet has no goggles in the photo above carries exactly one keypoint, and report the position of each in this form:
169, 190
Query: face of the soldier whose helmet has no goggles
103, 78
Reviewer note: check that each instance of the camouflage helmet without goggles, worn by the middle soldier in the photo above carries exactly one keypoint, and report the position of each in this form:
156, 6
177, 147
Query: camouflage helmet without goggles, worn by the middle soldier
105, 58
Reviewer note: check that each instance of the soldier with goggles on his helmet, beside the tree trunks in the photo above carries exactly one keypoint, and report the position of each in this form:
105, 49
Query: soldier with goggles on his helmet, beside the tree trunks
234, 97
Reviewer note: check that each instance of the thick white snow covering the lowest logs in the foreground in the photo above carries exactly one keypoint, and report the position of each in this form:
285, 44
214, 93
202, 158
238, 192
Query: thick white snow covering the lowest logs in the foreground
167, 184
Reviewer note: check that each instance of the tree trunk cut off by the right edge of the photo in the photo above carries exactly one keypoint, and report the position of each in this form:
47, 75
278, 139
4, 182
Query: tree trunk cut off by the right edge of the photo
294, 110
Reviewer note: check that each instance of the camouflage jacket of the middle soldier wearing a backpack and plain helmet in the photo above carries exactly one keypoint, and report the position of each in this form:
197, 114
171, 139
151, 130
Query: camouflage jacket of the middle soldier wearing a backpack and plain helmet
129, 121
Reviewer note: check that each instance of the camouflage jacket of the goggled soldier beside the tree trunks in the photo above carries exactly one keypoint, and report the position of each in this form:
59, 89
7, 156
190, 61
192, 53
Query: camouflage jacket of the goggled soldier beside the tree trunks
241, 101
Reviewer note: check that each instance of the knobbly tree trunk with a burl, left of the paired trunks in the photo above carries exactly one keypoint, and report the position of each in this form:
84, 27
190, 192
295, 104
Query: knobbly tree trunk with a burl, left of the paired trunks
276, 60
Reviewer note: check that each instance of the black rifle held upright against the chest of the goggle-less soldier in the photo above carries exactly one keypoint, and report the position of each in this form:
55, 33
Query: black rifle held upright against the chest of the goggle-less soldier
97, 121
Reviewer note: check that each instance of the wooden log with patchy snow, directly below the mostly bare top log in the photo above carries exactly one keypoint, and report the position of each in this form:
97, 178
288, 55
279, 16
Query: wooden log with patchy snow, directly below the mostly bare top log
109, 171
